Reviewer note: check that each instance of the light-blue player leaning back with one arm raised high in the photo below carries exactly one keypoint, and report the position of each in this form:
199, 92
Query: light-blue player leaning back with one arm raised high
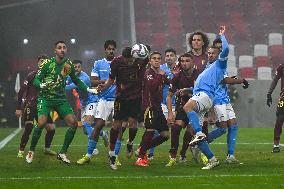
202, 100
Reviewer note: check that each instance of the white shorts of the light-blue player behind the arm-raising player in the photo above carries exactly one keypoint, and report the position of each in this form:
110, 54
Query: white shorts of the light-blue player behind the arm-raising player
224, 112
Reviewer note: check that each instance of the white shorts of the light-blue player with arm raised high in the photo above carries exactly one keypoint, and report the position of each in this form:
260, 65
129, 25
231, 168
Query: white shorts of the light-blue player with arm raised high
204, 103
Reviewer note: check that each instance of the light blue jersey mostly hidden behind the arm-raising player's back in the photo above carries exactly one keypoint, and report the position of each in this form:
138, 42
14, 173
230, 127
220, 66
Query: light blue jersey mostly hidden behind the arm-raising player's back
221, 93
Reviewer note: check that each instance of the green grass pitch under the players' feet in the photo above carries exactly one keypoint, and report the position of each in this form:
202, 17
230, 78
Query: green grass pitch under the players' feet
260, 167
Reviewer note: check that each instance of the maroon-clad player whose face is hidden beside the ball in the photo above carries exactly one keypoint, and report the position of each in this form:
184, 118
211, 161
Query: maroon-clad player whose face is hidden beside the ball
127, 73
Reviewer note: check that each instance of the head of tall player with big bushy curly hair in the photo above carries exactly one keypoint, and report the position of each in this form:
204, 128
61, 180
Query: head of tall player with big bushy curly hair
198, 41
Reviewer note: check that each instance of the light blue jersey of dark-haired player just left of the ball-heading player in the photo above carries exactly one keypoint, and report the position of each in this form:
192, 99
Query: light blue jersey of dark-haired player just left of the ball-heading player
101, 69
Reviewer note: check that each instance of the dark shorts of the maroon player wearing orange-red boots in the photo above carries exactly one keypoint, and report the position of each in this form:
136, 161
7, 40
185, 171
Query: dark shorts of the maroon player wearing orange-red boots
155, 120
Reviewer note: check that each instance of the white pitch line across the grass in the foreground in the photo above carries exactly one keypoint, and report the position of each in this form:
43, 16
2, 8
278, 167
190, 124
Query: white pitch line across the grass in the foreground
139, 177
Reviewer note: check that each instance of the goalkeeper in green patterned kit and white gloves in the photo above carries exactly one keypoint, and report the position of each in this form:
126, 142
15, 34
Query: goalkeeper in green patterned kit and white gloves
51, 81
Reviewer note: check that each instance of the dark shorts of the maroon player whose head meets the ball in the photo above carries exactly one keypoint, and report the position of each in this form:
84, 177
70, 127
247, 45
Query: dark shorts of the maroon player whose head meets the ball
123, 109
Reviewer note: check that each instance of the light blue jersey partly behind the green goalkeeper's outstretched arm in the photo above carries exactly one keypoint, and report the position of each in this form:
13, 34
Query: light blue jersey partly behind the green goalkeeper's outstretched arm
85, 98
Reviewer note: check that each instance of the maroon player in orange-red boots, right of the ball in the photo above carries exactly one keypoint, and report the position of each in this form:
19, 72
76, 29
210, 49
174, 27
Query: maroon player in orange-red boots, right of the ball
154, 119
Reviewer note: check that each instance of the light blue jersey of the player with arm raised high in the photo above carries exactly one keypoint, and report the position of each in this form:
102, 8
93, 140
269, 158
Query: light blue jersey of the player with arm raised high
212, 76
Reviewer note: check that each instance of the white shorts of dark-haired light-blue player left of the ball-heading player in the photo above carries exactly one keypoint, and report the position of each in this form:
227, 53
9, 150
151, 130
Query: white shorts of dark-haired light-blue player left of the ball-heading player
104, 109
